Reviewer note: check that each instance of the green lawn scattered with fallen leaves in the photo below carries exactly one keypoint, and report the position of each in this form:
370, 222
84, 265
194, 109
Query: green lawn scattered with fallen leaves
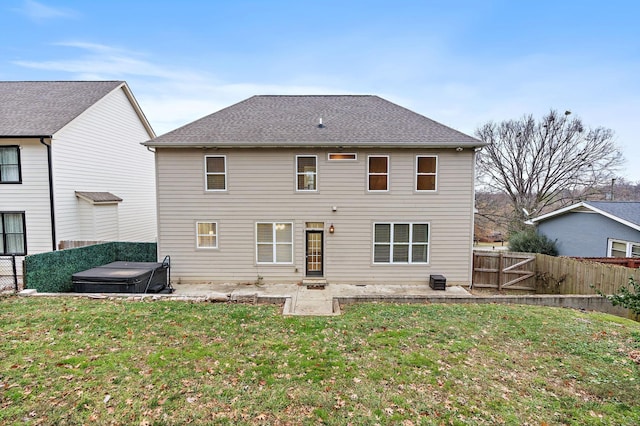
81, 361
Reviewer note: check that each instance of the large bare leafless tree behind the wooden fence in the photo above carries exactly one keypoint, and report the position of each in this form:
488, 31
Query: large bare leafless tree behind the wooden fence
545, 162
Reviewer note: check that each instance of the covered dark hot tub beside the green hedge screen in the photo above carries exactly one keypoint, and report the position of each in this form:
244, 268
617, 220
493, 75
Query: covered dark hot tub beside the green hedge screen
124, 277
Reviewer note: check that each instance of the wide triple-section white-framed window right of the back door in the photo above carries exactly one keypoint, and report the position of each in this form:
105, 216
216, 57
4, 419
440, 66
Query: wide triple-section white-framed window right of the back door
401, 243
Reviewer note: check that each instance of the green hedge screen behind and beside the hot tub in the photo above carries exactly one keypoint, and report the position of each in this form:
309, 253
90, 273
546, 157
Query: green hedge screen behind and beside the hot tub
51, 272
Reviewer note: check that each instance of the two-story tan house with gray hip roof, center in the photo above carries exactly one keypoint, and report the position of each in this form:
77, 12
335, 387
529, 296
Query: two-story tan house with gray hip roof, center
347, 189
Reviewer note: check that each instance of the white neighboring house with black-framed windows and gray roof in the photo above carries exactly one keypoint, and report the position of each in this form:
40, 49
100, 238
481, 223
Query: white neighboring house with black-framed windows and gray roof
72, 167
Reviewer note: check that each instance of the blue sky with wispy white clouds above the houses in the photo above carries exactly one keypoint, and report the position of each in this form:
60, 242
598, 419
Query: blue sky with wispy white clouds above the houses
461, 63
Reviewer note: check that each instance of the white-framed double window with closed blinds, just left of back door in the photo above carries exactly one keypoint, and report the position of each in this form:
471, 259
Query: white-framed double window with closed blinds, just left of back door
274, 242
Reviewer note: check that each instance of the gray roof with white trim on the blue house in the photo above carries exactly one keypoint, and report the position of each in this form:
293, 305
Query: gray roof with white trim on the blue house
625, 212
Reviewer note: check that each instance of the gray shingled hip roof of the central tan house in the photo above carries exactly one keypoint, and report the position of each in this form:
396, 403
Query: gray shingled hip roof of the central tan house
330, 120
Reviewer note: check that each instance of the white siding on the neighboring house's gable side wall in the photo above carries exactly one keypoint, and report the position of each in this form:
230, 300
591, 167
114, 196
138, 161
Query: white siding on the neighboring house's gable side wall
100, 151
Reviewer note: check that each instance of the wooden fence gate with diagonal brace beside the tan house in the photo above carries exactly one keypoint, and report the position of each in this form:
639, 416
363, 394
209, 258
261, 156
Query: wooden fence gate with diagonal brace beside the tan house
504, 270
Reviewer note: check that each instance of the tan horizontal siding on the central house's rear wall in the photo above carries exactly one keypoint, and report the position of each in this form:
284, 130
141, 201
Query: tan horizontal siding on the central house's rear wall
261, 187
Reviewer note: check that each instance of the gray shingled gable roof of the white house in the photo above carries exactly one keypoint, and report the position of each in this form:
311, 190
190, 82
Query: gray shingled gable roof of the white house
42, 108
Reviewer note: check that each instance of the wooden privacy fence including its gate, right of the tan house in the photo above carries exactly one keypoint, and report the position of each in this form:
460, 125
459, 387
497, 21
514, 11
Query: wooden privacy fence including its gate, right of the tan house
547, 274
